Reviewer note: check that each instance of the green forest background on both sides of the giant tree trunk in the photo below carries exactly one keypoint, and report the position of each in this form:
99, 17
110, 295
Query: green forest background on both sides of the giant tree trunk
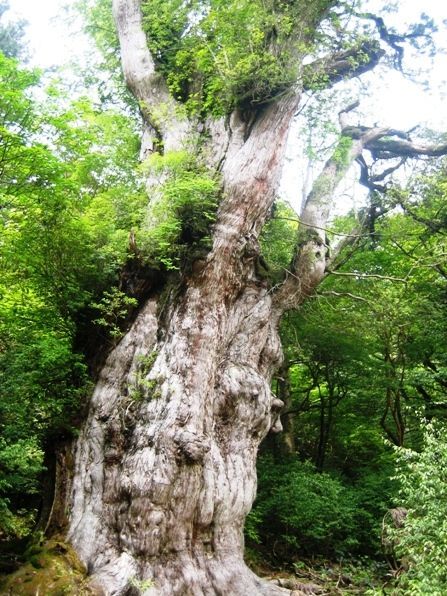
365, 375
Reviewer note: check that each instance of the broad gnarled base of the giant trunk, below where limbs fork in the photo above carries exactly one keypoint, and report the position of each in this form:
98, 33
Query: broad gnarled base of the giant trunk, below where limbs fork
165, 467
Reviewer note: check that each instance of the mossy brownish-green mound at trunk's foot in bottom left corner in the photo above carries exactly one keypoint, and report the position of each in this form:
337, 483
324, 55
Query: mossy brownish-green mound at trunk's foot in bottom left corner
54, 570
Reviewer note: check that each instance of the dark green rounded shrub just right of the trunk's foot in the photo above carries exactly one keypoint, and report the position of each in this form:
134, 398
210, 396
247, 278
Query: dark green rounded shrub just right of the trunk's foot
303, 511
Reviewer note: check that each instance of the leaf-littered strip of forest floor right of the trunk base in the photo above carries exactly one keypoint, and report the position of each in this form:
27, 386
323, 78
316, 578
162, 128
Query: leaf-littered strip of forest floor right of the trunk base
328, 578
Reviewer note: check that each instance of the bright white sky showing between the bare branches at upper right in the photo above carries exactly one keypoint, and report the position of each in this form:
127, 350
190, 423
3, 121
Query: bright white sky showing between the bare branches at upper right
387, 97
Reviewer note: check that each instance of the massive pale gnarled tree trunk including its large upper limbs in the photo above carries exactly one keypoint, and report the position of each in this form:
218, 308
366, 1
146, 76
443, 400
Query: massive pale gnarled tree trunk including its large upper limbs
163, 482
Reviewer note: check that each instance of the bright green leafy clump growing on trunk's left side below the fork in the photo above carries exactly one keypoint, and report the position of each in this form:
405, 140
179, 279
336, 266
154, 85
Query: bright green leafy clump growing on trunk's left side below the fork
181, 214
